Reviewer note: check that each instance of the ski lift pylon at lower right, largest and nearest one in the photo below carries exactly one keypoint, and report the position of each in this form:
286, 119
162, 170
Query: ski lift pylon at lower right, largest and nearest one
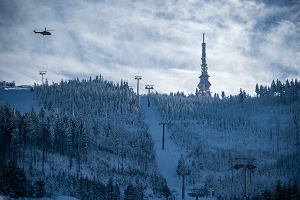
246, 164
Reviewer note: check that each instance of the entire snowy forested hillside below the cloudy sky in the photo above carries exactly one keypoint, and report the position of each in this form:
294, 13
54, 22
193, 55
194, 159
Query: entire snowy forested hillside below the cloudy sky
90, 139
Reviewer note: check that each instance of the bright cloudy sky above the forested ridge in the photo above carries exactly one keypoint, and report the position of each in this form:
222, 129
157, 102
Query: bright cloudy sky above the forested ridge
248, 42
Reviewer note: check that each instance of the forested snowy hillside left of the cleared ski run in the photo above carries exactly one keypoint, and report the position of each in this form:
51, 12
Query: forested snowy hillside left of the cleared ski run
87, 133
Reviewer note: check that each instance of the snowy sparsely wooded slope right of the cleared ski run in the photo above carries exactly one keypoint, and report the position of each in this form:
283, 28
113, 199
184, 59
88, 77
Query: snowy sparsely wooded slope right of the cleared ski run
218, 134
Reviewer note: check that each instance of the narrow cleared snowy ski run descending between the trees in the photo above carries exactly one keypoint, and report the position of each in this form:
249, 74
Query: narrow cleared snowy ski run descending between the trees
166, 159
